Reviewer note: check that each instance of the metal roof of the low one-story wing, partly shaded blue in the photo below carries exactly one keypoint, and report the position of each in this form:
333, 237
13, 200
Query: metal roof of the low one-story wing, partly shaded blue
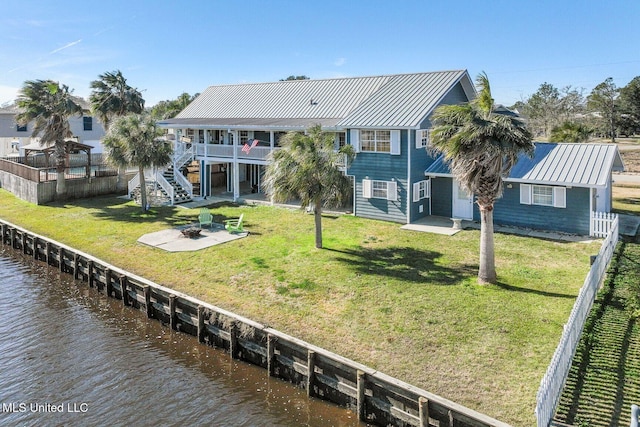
580, 165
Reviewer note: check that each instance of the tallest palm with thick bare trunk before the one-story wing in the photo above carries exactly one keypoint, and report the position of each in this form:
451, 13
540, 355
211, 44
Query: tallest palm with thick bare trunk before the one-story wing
481, 148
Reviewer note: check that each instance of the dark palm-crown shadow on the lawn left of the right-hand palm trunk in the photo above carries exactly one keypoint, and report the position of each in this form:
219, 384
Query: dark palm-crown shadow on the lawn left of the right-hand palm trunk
404, 263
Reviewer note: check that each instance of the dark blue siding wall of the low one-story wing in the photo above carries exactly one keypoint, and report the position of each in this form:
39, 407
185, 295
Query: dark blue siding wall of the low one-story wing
572, 219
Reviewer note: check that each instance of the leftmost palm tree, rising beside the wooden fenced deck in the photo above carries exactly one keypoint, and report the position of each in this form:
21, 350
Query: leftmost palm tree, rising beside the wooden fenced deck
49, 105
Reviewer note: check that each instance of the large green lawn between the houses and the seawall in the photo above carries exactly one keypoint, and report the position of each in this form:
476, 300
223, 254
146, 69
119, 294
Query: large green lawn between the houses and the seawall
405, 303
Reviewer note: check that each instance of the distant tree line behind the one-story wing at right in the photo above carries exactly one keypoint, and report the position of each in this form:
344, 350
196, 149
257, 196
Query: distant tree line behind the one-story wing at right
567, 115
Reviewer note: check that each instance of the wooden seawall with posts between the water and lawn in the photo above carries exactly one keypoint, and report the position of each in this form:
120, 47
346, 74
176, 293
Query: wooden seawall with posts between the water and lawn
377, 398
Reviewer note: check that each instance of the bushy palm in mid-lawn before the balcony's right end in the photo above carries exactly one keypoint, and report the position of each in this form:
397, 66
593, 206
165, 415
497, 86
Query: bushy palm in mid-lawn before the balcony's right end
307, 168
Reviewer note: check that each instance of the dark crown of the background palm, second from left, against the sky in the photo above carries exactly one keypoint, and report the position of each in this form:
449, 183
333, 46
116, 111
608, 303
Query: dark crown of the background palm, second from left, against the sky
112, 97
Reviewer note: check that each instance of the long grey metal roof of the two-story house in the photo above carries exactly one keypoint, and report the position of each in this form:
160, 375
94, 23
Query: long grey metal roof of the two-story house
401, 100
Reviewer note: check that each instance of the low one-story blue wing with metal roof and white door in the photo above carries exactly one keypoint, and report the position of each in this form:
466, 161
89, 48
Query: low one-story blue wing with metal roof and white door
558, 189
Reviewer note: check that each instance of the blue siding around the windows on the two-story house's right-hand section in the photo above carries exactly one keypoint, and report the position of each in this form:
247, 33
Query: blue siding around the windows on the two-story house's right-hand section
382, 167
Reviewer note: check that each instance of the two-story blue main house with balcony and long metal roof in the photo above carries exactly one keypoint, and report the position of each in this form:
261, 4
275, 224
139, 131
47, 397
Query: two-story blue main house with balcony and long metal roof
227, 132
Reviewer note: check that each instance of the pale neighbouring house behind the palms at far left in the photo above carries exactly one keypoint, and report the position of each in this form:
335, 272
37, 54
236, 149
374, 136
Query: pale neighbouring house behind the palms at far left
86, 130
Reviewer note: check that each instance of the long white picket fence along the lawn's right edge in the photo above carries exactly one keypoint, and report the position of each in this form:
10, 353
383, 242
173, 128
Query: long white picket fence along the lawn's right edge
553, 382
